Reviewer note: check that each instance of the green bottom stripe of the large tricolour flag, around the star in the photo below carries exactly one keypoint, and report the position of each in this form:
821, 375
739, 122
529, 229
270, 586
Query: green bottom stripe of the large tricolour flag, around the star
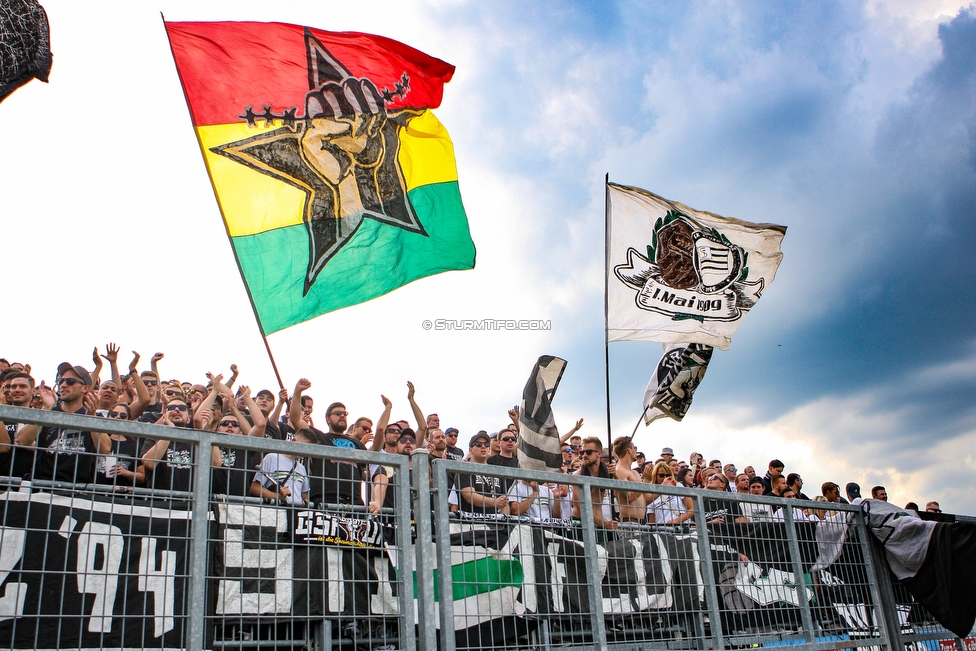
377, 260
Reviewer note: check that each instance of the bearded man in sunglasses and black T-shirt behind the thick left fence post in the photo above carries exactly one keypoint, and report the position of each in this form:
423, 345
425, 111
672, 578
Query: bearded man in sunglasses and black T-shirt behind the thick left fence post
171, 462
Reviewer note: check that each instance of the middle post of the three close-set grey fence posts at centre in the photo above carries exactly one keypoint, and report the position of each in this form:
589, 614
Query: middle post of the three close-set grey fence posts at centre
422, 582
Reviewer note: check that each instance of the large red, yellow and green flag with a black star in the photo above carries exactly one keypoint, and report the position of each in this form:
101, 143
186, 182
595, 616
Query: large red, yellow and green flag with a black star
336, 182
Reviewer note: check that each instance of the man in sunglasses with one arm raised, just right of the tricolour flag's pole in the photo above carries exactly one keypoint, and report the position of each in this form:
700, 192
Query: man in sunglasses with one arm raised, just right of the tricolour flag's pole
332, 481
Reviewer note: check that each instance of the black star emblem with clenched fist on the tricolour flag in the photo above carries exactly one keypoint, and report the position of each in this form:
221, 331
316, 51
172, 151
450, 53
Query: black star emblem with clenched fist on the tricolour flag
342, 153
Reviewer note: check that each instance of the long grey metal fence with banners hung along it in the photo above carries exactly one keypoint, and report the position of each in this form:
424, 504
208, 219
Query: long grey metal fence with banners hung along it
110, 565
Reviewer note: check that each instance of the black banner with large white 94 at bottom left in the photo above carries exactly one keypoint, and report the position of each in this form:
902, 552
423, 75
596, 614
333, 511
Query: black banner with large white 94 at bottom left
89, 574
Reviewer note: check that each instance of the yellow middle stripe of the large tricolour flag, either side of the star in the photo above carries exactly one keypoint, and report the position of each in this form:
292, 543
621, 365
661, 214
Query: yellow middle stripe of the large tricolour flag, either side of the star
254, 203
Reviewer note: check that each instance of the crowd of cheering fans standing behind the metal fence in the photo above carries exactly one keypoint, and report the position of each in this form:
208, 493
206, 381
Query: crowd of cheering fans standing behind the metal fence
75, 456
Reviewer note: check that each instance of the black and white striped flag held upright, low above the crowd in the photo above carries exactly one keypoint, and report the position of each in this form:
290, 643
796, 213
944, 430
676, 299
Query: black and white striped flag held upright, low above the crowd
539, 447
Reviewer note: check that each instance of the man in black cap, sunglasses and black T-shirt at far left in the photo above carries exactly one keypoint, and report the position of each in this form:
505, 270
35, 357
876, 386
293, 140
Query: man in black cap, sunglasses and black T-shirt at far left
65, 454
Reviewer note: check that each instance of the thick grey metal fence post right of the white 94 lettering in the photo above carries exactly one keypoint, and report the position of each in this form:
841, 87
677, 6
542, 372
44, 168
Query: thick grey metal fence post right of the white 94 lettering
196, 604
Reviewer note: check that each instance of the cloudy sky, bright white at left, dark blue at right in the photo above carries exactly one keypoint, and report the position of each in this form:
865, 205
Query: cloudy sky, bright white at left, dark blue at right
854, 124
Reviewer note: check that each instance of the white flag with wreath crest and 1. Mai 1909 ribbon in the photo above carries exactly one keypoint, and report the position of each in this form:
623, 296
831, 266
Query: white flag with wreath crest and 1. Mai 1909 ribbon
675, 274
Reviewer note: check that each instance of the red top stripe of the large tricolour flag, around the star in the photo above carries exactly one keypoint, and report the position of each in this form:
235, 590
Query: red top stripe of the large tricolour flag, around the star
226, 67
